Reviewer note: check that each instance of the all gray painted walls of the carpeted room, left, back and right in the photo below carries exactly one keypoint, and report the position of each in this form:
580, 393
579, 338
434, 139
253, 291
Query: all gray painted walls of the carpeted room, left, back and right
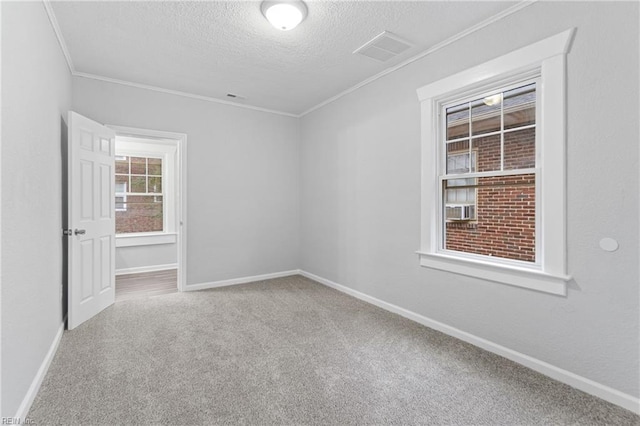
353, 180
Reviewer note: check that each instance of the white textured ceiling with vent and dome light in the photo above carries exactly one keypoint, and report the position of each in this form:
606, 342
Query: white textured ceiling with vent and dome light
219, 47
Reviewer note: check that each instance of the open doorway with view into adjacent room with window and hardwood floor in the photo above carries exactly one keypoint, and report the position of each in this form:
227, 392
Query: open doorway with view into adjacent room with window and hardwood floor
150, 212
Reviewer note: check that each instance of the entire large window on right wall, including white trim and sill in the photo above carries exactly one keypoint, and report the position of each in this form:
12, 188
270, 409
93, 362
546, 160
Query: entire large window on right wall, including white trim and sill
493, 189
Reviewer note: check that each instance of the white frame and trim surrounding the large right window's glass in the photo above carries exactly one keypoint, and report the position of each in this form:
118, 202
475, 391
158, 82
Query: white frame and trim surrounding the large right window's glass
545, 60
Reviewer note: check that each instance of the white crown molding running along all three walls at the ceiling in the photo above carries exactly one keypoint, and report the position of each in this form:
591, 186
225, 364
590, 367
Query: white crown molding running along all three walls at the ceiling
503, 14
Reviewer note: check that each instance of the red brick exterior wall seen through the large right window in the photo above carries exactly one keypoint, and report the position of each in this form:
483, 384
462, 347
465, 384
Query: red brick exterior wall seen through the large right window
505, 206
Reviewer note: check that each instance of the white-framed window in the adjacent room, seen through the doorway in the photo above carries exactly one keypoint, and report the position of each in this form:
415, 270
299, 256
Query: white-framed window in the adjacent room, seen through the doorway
145, 191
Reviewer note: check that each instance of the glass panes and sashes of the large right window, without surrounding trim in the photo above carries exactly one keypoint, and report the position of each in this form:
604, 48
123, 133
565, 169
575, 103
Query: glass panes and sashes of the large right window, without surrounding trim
497, 134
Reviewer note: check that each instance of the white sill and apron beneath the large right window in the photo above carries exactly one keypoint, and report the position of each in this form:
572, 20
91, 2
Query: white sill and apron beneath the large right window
505, 274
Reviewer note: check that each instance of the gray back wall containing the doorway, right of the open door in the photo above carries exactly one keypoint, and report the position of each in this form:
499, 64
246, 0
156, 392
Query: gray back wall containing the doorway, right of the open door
242, 174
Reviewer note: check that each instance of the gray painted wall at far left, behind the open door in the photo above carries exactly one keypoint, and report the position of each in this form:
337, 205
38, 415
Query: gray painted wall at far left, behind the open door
36, 95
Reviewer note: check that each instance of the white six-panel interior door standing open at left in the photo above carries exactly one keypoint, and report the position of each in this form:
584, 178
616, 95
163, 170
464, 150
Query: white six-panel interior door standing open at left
91, 153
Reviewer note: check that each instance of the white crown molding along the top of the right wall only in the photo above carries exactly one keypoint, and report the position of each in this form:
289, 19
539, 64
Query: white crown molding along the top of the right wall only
503, 14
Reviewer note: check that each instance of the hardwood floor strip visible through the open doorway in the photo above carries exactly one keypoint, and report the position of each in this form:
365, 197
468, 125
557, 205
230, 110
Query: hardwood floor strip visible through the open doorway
146, 284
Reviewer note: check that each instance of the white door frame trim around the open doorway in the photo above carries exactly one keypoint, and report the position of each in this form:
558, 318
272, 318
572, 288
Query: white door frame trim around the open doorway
181, 187
